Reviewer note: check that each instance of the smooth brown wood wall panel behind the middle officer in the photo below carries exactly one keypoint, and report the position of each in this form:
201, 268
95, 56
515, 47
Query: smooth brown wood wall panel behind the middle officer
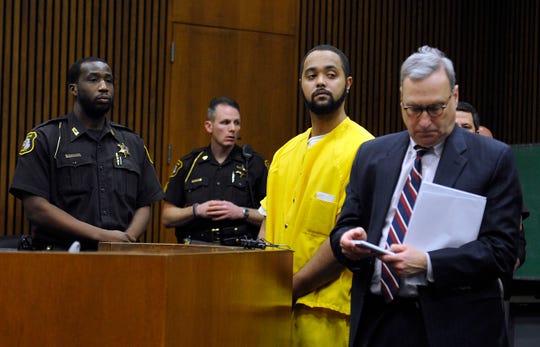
245, 49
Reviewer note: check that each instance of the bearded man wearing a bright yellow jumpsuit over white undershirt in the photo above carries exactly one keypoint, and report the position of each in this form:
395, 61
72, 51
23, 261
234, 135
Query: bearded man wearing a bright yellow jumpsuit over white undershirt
305, 192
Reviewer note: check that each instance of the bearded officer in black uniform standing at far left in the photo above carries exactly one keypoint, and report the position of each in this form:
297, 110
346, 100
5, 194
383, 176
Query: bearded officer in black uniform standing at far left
80, 176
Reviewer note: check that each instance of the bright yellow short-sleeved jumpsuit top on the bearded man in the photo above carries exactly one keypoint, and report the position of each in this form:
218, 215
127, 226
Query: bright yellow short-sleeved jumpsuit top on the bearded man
305, 193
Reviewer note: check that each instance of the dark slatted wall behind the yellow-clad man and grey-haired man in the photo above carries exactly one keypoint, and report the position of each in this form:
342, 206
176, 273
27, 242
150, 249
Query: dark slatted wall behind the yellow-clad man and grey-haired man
495, 47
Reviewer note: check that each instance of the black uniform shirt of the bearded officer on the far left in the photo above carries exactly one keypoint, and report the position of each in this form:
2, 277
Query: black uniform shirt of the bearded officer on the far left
99, 177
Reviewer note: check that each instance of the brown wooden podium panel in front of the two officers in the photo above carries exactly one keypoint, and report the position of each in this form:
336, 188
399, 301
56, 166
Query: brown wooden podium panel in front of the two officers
146, 296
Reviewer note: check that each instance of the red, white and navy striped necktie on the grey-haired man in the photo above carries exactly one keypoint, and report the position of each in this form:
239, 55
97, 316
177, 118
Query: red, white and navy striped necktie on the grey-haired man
398, 227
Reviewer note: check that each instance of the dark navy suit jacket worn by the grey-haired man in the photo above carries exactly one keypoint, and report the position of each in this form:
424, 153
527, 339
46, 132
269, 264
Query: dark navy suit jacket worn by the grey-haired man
462, 307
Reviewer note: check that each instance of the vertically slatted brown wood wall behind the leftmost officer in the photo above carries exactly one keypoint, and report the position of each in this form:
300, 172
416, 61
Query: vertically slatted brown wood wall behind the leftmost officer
39, 40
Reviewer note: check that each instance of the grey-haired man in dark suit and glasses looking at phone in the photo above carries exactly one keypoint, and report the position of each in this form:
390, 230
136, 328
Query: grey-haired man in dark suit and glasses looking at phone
445, 297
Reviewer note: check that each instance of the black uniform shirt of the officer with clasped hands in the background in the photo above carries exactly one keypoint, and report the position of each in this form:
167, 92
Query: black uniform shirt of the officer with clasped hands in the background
198, 177
